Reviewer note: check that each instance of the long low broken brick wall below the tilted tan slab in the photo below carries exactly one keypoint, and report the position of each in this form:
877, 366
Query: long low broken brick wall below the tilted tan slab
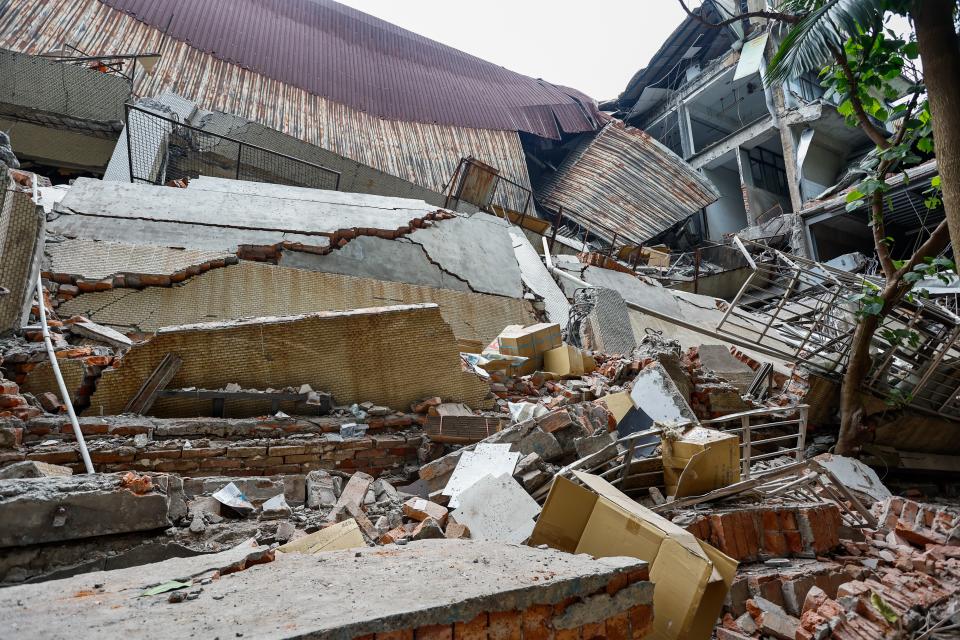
200, 447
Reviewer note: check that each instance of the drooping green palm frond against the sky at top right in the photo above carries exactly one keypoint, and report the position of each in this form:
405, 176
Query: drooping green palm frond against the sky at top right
807, 46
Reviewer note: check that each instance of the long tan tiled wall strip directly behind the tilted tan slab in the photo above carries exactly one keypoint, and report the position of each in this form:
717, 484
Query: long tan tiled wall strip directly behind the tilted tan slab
252, 289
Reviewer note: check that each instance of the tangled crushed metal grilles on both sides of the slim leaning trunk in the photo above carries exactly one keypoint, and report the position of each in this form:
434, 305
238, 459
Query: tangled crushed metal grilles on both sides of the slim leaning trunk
808, 312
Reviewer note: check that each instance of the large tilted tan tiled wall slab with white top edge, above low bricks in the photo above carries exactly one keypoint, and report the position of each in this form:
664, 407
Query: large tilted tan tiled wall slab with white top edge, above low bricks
382, 355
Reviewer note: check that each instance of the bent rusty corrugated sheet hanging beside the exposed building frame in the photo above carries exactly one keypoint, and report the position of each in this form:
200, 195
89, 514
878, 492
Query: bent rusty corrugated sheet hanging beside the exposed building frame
628, 182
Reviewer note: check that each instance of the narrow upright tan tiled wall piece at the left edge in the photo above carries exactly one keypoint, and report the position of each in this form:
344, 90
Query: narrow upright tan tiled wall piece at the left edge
21, 247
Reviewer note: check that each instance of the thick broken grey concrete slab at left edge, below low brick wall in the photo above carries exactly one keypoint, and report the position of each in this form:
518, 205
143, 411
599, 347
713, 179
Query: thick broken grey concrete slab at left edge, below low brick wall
52, 509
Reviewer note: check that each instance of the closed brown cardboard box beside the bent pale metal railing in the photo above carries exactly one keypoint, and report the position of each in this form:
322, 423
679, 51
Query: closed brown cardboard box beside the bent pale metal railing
700, 461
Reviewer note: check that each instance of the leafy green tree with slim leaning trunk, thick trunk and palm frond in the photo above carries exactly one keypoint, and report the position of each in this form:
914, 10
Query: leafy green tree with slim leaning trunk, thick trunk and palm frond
859, 61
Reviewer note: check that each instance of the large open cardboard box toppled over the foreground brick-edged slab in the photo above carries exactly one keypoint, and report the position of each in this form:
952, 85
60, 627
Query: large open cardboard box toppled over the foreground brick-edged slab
691, 578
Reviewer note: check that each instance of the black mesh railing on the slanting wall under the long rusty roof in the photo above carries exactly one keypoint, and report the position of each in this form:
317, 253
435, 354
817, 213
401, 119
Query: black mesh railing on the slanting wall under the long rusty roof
162, 150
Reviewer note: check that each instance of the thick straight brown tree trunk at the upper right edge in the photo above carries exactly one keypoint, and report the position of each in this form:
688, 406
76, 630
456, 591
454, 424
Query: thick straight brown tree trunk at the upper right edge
940, 54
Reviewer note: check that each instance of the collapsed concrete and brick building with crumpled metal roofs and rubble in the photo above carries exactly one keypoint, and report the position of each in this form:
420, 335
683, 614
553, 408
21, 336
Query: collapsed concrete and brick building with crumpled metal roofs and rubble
496, 366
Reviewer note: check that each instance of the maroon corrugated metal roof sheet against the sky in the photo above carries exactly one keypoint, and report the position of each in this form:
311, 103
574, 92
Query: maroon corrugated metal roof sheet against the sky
353, 58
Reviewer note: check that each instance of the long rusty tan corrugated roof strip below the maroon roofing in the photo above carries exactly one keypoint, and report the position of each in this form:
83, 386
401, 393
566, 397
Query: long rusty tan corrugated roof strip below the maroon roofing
425, 154
